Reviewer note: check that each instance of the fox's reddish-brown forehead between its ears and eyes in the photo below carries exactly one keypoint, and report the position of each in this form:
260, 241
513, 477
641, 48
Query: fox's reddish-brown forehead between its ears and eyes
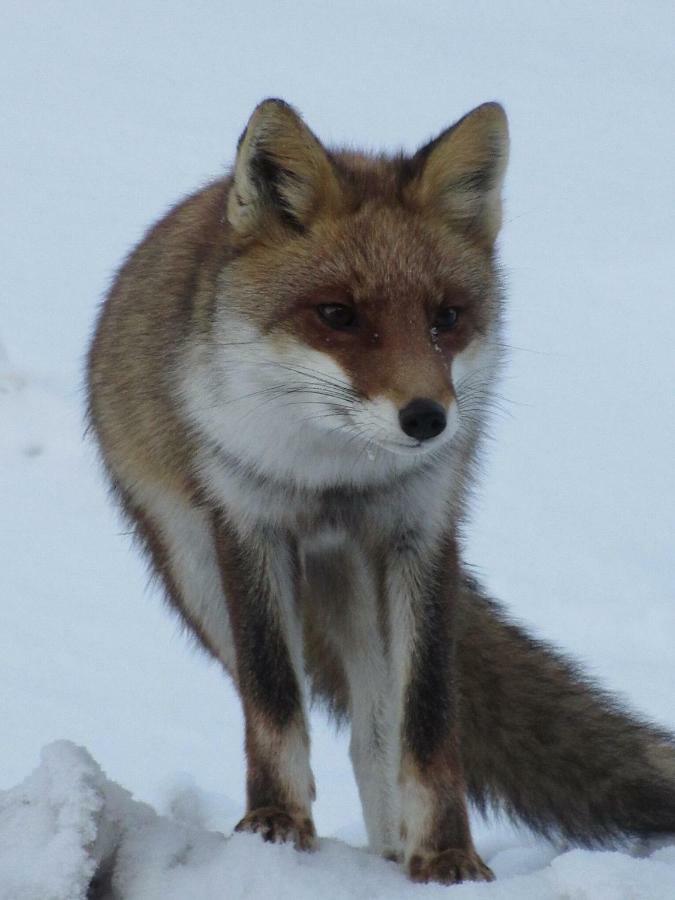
380, 254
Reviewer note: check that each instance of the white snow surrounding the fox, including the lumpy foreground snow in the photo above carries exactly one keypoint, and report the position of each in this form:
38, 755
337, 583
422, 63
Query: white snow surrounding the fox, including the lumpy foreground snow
109, 112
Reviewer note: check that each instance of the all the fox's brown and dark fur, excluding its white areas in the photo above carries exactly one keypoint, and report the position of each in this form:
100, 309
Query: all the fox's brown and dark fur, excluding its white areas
398, 238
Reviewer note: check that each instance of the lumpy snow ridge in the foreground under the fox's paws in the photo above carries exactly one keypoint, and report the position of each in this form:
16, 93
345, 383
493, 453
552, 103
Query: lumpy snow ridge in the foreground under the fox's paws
68, 833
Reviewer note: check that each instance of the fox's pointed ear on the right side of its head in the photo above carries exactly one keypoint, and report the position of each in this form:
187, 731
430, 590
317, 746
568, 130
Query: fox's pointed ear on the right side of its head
460, 173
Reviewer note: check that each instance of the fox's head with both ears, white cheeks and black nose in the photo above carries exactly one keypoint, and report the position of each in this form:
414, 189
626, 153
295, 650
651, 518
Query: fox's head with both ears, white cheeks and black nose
356, 326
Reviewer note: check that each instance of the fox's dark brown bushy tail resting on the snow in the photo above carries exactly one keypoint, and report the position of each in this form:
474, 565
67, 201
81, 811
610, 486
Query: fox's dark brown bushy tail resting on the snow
542, 742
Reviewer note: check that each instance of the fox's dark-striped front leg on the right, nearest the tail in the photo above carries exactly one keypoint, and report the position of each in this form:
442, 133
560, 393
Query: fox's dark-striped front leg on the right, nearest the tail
434, 819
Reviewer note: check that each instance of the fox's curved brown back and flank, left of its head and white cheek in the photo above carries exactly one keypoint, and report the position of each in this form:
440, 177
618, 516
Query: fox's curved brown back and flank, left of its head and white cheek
160, 296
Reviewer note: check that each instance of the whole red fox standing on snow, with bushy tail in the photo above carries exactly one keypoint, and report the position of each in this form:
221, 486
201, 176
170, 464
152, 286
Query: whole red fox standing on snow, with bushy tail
289, 383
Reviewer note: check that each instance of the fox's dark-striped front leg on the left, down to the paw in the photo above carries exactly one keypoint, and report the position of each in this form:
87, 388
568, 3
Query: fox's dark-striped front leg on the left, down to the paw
259, 575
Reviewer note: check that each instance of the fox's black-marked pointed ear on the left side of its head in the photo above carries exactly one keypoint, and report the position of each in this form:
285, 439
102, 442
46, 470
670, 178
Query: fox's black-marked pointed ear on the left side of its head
282, 173
